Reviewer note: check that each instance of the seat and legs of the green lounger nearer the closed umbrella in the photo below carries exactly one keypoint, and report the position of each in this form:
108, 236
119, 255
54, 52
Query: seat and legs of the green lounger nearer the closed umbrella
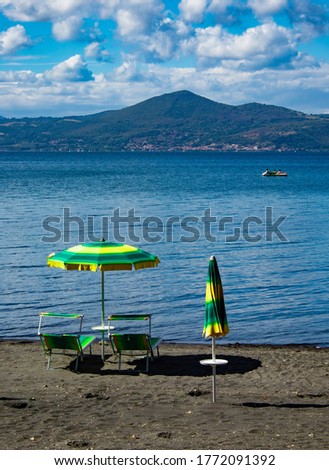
134, 344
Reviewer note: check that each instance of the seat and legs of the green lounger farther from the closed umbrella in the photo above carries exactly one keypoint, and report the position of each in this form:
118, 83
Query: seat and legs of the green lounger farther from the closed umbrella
71, 342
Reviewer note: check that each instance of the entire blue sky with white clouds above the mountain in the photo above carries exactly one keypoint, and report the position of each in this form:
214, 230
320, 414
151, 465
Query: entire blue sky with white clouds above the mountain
71, 57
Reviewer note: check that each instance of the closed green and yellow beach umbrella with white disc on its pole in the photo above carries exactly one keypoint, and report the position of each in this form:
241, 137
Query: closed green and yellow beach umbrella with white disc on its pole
215, 320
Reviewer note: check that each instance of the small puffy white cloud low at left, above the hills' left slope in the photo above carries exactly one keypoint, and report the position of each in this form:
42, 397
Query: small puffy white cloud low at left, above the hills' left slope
73, 69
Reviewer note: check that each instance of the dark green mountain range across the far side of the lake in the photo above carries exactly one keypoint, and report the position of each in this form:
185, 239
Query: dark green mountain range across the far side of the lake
179, 121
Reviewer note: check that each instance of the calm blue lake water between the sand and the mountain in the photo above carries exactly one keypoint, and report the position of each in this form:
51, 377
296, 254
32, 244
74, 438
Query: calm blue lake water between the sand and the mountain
275, 280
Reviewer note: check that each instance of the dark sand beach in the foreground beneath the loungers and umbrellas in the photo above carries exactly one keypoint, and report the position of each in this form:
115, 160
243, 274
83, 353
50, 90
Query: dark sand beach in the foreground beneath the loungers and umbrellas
267, 398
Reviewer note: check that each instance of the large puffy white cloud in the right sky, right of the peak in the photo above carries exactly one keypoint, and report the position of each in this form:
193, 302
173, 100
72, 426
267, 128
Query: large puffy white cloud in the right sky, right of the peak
264, 45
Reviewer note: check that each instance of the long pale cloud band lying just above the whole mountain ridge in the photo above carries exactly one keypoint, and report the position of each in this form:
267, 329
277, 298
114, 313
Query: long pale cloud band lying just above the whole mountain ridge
304, 89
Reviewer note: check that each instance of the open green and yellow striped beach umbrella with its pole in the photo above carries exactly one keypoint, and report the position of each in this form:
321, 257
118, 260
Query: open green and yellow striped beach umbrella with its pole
102, 256
